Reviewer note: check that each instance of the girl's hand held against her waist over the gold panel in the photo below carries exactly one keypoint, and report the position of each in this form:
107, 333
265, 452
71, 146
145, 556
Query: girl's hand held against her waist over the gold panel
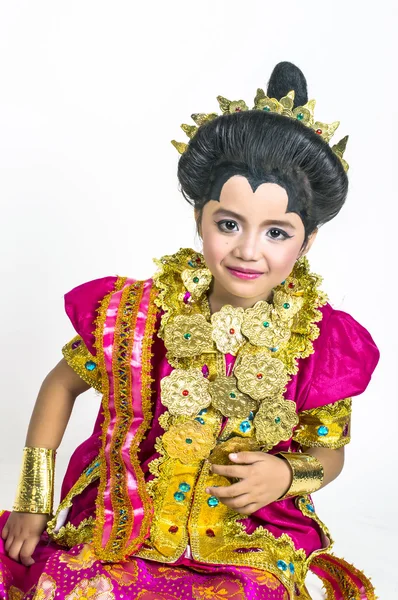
263, 479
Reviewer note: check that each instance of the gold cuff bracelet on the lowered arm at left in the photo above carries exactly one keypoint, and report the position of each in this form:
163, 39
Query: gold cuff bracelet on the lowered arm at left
35, 492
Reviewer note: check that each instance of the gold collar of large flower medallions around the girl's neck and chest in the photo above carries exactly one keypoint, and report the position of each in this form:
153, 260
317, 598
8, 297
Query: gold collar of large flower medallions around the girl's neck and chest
267, 341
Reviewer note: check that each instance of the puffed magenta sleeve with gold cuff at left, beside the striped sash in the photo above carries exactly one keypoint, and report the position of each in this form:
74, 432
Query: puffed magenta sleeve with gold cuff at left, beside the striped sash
81, 305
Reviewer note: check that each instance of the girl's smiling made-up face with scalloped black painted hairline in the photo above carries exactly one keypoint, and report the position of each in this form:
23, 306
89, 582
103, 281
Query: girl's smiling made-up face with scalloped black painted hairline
250, 243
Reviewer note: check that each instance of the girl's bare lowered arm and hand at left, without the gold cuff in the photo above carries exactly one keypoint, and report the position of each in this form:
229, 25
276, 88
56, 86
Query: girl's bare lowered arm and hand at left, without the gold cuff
47, 425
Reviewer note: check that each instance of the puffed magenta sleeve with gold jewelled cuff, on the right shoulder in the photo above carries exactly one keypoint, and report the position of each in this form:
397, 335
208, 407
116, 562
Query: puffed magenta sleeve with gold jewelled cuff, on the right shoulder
345, 358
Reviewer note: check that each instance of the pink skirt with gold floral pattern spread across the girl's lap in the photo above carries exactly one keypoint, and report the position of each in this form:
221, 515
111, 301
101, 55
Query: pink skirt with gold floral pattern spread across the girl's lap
74, 574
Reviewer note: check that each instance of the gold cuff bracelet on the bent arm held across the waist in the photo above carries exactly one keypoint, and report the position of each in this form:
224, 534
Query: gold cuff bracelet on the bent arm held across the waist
307, 473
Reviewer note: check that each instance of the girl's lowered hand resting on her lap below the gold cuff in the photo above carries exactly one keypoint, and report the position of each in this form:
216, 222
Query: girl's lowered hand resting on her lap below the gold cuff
21, 535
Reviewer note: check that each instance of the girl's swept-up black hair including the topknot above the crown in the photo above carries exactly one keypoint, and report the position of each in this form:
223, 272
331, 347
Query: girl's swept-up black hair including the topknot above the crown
267, 147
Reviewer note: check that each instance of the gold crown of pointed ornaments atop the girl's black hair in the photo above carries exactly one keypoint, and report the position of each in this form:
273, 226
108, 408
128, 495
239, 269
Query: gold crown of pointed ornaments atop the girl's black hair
284, 106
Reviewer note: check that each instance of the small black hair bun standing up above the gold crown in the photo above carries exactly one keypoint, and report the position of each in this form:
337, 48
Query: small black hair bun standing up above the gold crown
284, 78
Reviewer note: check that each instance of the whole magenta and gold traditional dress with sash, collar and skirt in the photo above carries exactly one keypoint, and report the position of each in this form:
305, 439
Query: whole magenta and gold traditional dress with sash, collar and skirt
180, 390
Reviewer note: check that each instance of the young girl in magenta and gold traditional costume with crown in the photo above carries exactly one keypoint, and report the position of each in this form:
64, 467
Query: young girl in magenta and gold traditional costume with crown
227, 381
